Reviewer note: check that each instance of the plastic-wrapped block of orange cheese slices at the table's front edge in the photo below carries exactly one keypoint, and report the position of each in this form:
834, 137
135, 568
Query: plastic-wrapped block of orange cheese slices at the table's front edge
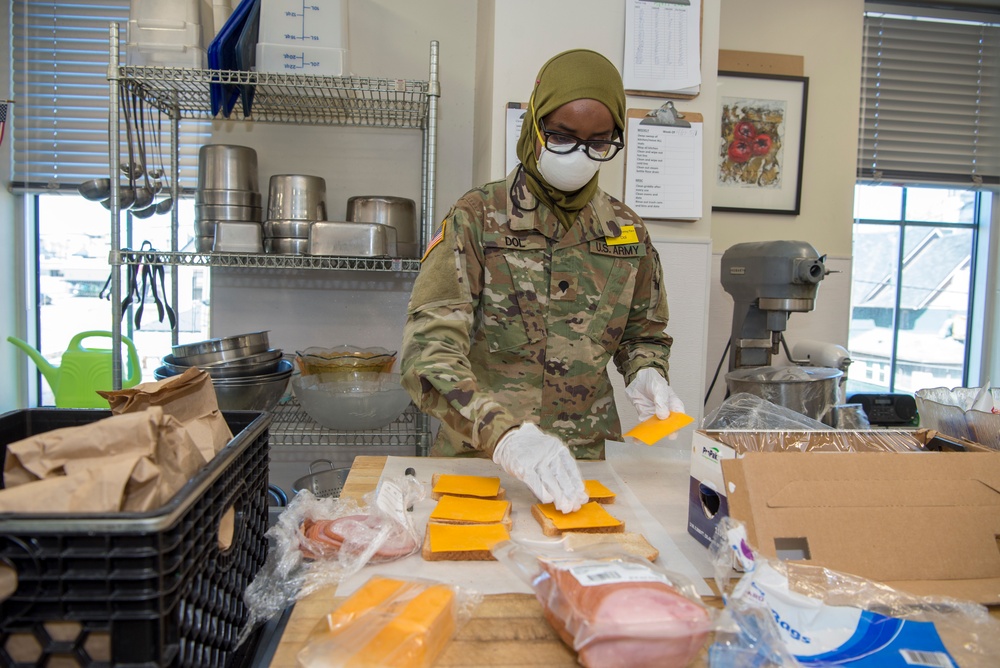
389, 622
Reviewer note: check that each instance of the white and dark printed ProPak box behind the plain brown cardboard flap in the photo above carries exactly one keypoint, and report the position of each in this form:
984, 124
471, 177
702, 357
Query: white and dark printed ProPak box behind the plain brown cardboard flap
707, 497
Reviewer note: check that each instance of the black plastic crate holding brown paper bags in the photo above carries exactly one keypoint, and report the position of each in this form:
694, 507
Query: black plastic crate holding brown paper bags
136, 589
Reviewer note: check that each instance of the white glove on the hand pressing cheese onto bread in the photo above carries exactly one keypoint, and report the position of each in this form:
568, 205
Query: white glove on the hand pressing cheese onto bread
543, 463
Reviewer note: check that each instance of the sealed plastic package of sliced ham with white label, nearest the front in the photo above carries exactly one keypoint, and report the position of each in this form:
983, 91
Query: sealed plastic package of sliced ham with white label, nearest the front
613, 608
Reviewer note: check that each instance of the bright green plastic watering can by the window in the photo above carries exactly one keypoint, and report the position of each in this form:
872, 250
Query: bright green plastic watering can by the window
83, 371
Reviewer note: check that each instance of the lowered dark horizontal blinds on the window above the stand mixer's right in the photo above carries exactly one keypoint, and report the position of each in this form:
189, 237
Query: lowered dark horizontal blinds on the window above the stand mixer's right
930, 99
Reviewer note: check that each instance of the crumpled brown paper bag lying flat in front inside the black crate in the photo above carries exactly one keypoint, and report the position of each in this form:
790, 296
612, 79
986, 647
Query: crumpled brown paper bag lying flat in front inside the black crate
134, 462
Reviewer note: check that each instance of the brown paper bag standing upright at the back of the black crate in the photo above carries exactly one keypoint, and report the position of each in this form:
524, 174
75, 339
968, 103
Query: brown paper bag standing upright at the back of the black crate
189, 397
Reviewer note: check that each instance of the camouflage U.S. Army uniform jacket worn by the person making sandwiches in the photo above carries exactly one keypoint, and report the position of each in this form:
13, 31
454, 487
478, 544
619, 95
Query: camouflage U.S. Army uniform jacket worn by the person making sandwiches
513, 319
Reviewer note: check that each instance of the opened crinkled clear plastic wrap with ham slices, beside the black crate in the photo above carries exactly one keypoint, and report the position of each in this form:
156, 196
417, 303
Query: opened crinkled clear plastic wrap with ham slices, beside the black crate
320, 541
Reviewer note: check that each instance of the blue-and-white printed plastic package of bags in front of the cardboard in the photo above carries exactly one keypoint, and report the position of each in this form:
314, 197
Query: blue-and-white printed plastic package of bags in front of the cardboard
816, 616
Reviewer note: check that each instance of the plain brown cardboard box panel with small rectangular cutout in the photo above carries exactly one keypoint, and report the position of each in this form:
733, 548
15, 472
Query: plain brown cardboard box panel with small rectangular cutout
925, 523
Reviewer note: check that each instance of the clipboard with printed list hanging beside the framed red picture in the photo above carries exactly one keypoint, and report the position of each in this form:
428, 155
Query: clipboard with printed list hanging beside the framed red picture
663, 163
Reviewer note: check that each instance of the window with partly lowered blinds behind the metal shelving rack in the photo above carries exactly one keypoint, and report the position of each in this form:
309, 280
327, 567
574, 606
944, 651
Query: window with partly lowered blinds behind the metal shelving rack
59, 57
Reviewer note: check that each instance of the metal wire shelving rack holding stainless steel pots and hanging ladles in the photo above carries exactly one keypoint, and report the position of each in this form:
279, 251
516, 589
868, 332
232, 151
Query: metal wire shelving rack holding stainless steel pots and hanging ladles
289, 99
